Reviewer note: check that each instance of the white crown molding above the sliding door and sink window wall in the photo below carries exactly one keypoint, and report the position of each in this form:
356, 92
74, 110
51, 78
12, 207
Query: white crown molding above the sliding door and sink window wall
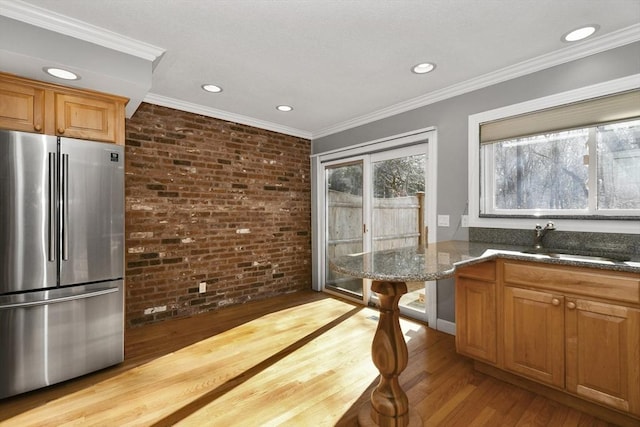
610, 41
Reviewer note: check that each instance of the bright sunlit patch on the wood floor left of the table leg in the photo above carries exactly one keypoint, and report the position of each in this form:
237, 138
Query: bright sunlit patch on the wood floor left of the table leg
337, 360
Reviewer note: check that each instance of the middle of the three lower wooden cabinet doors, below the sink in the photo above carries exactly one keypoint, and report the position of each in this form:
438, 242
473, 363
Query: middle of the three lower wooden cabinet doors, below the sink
534, 335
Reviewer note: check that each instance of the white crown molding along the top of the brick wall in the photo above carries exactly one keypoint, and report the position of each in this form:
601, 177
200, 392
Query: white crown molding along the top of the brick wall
224, 115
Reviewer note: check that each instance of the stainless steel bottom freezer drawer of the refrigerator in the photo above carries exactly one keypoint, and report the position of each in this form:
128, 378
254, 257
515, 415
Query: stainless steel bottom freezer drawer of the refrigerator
51, 336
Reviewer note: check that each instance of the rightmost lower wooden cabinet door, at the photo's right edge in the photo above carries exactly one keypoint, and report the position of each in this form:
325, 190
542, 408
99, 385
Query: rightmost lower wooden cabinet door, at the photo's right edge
603, 355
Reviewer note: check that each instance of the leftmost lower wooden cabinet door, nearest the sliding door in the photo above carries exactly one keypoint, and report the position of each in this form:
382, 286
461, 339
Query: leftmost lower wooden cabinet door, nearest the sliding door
476, 319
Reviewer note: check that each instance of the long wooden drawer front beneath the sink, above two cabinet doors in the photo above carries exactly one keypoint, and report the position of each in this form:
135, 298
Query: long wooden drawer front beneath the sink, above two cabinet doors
582, 281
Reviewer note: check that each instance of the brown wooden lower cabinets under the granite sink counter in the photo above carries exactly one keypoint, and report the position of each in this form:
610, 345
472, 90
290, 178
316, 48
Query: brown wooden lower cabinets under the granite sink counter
574, 329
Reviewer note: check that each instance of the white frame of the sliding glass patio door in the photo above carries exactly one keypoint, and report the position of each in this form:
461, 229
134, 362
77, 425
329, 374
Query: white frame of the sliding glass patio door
318, 162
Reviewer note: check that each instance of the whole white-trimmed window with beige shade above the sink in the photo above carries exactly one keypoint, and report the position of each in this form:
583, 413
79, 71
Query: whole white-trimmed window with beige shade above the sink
574, 157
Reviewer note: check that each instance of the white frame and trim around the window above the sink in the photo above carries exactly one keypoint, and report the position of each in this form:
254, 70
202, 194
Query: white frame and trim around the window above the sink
586, 222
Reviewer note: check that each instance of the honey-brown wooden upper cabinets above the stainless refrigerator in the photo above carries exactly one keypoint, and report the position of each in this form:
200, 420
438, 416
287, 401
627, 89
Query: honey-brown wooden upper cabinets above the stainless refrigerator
32, 106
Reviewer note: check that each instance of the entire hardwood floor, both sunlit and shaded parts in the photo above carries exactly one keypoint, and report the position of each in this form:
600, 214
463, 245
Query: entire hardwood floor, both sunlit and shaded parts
298, 360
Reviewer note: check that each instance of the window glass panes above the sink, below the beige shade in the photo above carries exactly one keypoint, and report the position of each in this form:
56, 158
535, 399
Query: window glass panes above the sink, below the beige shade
586, 172
